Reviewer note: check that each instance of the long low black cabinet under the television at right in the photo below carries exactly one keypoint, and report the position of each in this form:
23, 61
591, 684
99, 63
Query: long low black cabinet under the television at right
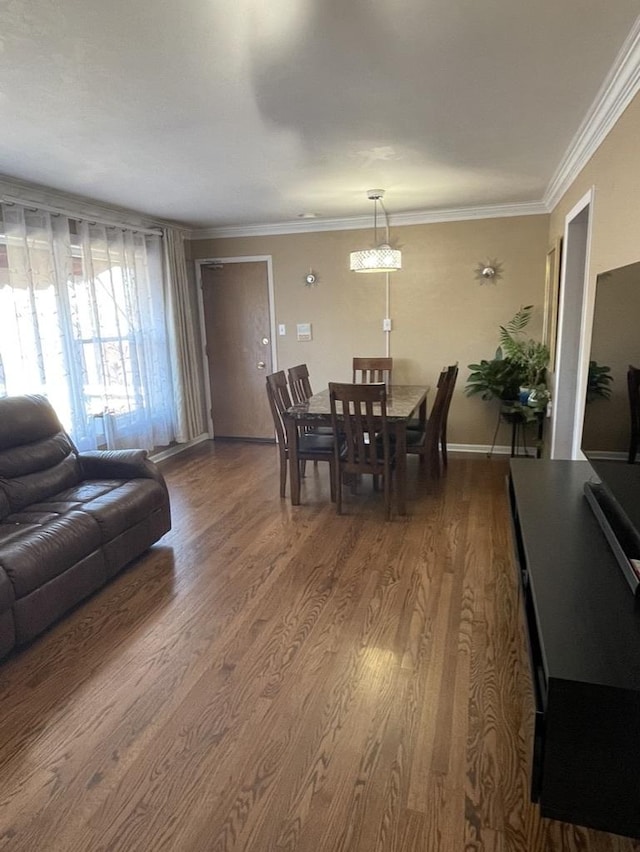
583, 627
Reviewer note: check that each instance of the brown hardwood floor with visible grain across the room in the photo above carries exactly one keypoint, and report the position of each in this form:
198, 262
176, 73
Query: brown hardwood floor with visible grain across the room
277, 678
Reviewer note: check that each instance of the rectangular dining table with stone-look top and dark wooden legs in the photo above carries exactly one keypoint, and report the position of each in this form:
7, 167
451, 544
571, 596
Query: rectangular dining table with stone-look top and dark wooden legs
404, 402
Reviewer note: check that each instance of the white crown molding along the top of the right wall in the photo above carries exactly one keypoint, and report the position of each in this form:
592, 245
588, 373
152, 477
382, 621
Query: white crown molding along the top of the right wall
618, 89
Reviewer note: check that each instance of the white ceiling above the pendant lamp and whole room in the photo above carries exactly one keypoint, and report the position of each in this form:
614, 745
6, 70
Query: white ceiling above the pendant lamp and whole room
216, 113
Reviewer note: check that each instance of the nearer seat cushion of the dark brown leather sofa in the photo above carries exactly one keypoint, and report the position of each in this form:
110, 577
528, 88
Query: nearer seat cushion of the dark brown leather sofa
35, 554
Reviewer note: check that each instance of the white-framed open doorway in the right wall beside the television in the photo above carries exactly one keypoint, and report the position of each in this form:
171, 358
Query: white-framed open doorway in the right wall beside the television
577, 290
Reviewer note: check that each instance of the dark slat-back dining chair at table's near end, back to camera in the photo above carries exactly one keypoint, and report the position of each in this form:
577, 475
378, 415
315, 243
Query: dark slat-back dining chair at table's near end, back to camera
359, 411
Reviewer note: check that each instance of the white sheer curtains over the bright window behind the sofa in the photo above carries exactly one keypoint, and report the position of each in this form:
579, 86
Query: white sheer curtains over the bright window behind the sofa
82, 321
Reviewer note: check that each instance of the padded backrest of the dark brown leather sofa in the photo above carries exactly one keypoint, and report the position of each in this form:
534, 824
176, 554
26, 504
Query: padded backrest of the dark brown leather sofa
37, 457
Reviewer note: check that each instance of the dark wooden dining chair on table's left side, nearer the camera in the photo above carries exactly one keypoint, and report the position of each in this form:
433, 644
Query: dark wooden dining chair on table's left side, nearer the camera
311, 446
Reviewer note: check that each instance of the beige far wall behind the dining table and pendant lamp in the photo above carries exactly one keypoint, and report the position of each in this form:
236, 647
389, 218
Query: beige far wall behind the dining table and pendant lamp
440, 311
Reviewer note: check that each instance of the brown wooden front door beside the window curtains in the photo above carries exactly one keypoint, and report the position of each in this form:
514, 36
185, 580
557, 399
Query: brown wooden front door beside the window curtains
238, 335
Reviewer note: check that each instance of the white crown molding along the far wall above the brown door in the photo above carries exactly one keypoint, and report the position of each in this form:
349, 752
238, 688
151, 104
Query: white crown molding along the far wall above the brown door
424, 217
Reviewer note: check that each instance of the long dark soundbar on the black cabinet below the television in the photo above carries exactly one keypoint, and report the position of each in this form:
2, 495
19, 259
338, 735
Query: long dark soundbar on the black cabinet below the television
622, 536
